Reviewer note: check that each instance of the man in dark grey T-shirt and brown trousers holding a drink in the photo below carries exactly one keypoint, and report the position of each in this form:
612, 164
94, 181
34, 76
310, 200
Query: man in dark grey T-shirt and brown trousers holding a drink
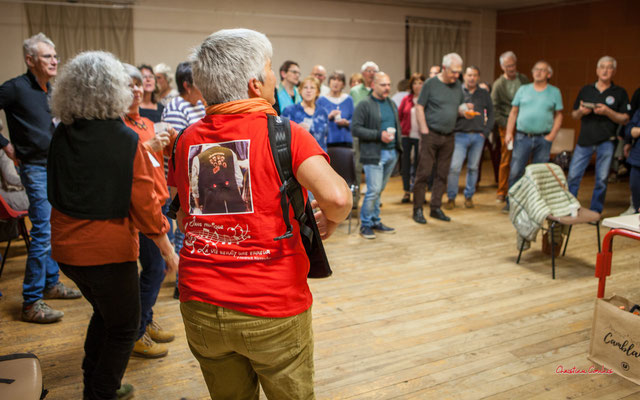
440, 103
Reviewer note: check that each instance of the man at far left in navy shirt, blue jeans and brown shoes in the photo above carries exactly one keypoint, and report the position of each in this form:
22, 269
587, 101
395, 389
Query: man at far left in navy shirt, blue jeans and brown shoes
25, 101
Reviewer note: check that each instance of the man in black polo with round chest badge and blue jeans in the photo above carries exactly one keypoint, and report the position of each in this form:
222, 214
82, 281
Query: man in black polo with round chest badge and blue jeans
600, 107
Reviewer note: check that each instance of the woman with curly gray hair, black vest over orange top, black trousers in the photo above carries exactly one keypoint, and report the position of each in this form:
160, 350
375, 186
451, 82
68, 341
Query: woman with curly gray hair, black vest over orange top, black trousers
102, 193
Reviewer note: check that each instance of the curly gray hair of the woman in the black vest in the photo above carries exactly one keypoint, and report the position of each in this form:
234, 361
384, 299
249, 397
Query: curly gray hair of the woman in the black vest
93, 85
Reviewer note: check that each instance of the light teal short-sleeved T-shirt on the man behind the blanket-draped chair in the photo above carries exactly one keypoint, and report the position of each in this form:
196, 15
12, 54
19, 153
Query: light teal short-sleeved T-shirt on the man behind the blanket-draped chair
536, 109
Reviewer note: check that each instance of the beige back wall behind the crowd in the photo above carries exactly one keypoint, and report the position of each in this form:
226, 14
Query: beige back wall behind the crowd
339, 35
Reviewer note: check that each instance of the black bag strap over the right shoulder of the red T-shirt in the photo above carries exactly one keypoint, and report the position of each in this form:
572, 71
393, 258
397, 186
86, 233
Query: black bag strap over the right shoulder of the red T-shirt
290, 191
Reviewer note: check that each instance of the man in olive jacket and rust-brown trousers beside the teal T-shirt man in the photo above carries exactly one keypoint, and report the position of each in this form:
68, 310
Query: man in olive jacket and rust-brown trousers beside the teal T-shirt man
504, 88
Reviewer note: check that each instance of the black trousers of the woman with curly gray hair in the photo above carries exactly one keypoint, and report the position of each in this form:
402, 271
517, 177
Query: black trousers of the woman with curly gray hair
113, 291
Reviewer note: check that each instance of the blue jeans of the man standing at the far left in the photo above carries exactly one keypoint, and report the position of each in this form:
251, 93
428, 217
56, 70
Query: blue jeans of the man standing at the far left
41, 271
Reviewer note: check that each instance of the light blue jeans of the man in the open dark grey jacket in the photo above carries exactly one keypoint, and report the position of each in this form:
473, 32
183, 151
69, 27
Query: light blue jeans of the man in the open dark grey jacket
376, 176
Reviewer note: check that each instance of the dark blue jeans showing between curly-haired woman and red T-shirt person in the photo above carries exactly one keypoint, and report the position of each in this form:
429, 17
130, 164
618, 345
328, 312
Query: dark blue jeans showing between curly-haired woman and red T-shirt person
151, 277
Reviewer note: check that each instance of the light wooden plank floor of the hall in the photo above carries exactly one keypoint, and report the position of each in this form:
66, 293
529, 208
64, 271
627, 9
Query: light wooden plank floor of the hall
440, 311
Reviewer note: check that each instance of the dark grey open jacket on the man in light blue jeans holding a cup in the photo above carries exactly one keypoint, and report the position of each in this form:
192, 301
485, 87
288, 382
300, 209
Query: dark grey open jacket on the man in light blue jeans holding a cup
365, 125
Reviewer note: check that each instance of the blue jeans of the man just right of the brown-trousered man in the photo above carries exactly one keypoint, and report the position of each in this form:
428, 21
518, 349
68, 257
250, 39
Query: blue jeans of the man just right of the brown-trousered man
471, 144
